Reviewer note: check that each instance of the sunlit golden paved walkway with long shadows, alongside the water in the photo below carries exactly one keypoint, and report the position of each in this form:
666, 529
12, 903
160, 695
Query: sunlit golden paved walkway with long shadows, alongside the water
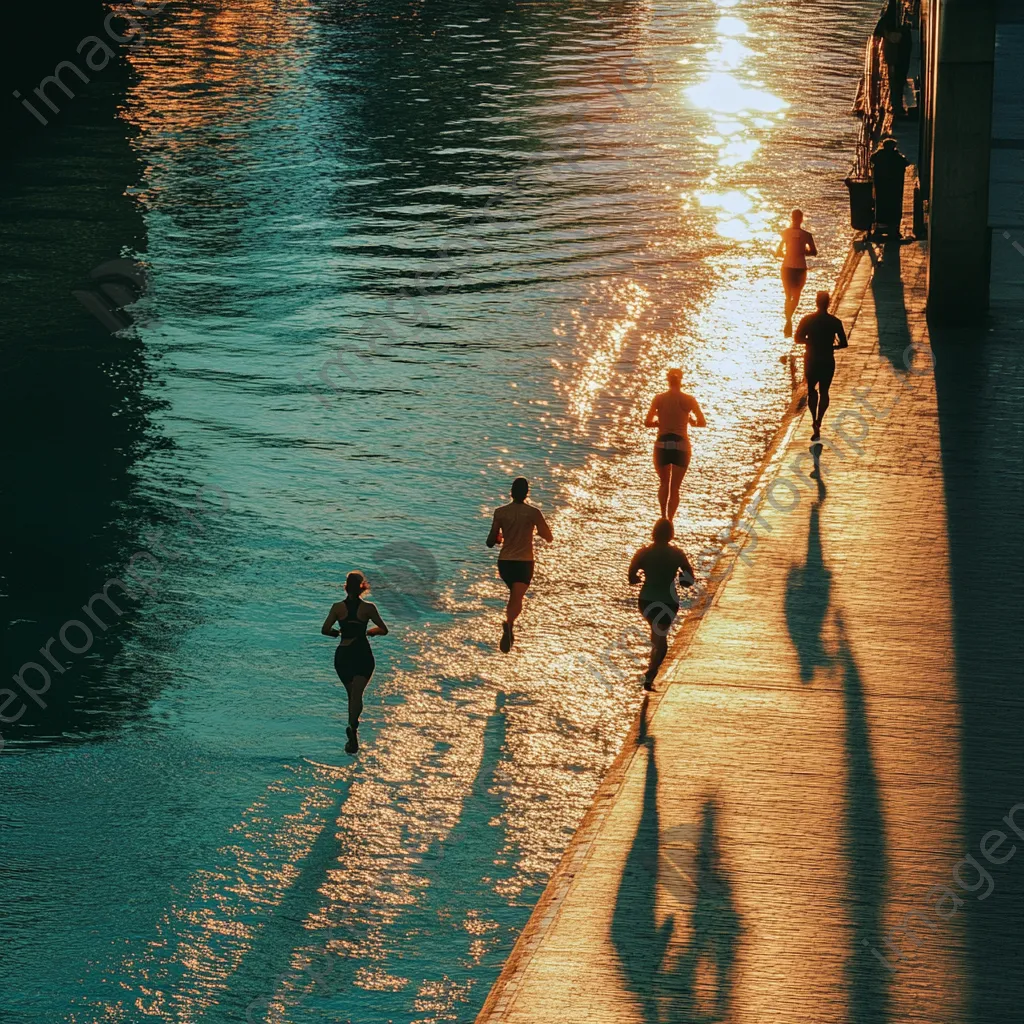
785, 836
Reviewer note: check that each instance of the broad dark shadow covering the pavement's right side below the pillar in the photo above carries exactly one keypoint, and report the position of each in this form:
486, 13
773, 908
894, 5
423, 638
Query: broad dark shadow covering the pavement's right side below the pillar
979, 380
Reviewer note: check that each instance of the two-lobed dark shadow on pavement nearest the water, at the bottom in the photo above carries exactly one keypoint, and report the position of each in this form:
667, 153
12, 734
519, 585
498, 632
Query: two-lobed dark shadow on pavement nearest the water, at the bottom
662, 980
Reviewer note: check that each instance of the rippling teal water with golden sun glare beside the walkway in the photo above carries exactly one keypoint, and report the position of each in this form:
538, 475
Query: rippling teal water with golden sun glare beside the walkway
400, 253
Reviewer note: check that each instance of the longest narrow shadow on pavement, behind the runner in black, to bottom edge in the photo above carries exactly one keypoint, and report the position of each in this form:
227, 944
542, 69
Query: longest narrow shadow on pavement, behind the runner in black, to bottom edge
864, 825
